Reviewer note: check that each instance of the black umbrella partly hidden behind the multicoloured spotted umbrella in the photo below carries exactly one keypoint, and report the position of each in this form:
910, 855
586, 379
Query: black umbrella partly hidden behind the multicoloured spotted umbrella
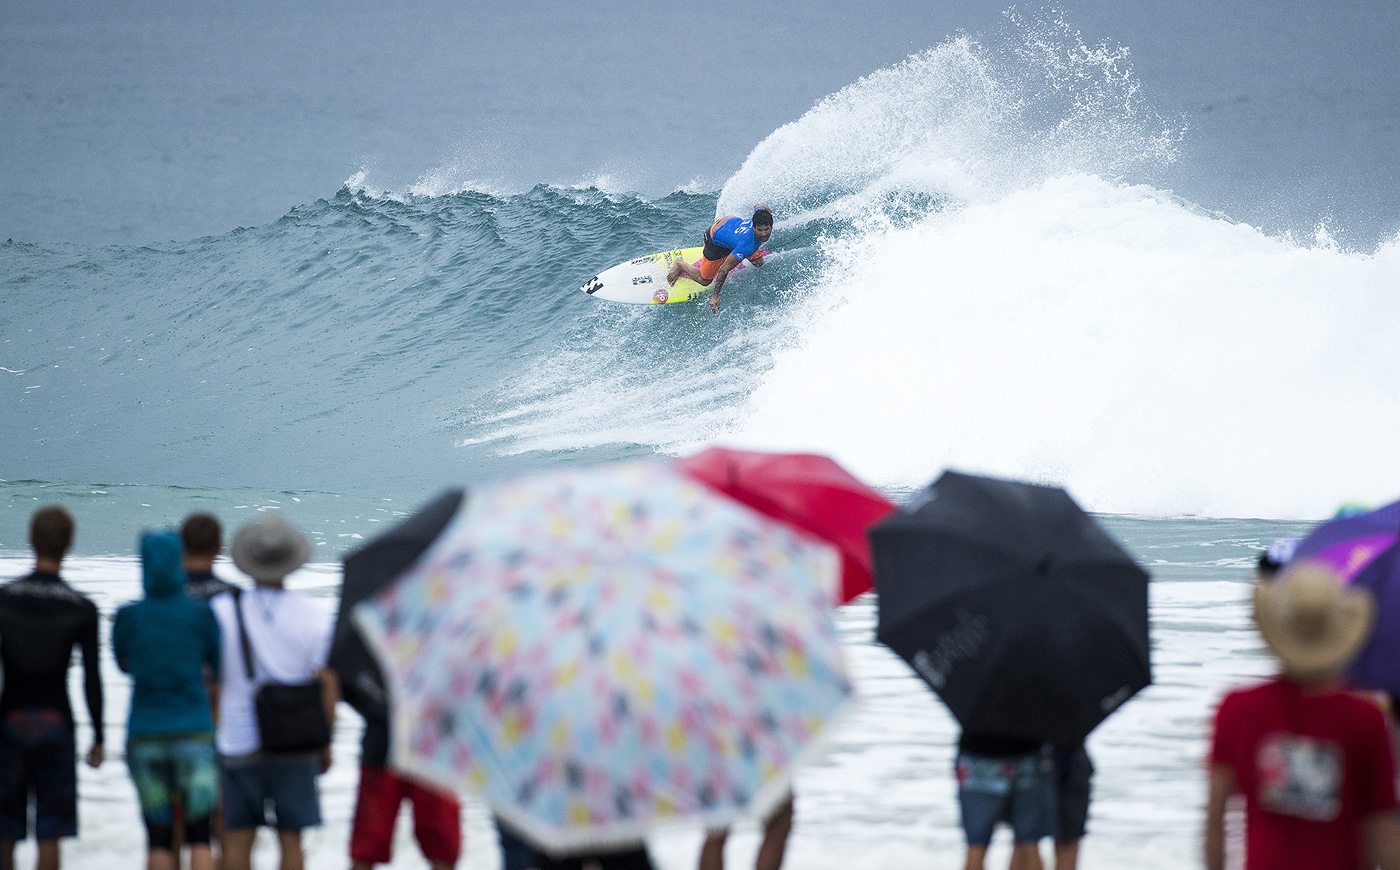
367, 571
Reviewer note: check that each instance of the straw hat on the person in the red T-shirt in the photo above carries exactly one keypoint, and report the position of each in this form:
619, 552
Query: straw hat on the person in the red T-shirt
1314, 621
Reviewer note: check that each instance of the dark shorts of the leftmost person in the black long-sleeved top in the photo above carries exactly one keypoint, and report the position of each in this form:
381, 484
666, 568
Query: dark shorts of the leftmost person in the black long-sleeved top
38, 759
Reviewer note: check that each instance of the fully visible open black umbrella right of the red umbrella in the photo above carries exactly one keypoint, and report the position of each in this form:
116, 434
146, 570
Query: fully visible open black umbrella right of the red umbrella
1025, 617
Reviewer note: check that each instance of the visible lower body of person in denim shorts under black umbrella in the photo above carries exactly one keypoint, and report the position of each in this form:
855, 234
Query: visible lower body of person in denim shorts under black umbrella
1006, 780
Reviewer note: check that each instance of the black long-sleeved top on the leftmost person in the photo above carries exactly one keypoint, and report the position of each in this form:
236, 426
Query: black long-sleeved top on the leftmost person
41, 620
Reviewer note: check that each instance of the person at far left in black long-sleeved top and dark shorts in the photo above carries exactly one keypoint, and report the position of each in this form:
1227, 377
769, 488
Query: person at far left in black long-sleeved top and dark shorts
41, 620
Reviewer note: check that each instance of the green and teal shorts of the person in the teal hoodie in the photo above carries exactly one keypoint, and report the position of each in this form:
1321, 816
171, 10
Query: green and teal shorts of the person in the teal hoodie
174, 768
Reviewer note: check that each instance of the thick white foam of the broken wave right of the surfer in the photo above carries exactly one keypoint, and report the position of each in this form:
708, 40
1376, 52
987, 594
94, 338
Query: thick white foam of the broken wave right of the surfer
1107, 337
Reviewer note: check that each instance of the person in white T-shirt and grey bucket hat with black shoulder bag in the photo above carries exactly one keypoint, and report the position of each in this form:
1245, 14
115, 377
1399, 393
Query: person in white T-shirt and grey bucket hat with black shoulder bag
290, 637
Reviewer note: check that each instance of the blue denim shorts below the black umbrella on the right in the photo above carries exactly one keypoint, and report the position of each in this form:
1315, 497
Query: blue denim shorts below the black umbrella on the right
1018, 791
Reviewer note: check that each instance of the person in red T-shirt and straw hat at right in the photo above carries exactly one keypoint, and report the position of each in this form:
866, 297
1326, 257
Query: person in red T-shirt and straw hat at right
1312, 761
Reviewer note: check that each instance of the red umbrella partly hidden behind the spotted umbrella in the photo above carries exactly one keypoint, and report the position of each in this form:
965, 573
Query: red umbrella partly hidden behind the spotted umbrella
810, 492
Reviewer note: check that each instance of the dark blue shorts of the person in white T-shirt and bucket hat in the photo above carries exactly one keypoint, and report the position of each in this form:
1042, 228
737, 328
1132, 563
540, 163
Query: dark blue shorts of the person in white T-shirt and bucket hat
275, 792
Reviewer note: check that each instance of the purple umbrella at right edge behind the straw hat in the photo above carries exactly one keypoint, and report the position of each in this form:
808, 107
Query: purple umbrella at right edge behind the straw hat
1366, 551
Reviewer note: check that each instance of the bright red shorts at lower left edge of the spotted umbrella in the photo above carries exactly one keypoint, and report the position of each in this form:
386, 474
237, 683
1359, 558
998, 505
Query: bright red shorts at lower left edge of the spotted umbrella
437, 819
